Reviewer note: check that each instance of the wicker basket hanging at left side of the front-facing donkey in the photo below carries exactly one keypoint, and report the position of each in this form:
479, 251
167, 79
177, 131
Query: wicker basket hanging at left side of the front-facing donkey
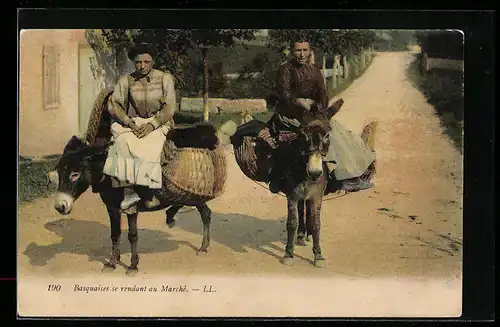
254, 158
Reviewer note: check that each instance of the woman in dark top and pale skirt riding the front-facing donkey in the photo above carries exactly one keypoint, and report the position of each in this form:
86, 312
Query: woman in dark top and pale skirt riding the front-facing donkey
300, 87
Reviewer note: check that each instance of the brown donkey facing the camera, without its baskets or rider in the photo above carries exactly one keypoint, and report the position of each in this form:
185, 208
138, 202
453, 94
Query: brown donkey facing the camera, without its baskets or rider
306, 179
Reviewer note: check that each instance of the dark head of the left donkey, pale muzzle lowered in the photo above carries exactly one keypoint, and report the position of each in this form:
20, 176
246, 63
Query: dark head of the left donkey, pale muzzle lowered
75, 172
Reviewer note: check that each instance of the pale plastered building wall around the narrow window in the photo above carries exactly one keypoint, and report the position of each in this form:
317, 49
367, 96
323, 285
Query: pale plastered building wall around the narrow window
42, 131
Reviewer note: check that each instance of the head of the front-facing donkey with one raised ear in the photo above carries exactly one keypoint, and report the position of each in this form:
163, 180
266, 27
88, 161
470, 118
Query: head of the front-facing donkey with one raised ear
314, 137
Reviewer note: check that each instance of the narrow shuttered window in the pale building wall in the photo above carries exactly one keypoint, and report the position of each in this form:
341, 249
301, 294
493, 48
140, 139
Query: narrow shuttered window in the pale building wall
51, 97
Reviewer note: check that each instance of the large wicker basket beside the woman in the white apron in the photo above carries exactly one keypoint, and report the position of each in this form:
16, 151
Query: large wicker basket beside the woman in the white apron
193, 175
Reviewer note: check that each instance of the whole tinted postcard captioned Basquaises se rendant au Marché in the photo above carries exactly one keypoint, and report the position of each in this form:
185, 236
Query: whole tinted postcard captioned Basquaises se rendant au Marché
240, 173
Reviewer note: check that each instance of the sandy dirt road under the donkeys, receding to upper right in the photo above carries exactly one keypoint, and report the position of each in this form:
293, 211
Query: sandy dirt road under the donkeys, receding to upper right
409, 225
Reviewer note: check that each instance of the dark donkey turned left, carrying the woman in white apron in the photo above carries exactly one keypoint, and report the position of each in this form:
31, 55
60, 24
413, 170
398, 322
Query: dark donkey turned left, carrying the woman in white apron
81, 166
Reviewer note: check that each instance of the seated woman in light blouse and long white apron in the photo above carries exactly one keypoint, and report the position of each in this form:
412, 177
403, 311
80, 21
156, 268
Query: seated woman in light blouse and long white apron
142, 107
